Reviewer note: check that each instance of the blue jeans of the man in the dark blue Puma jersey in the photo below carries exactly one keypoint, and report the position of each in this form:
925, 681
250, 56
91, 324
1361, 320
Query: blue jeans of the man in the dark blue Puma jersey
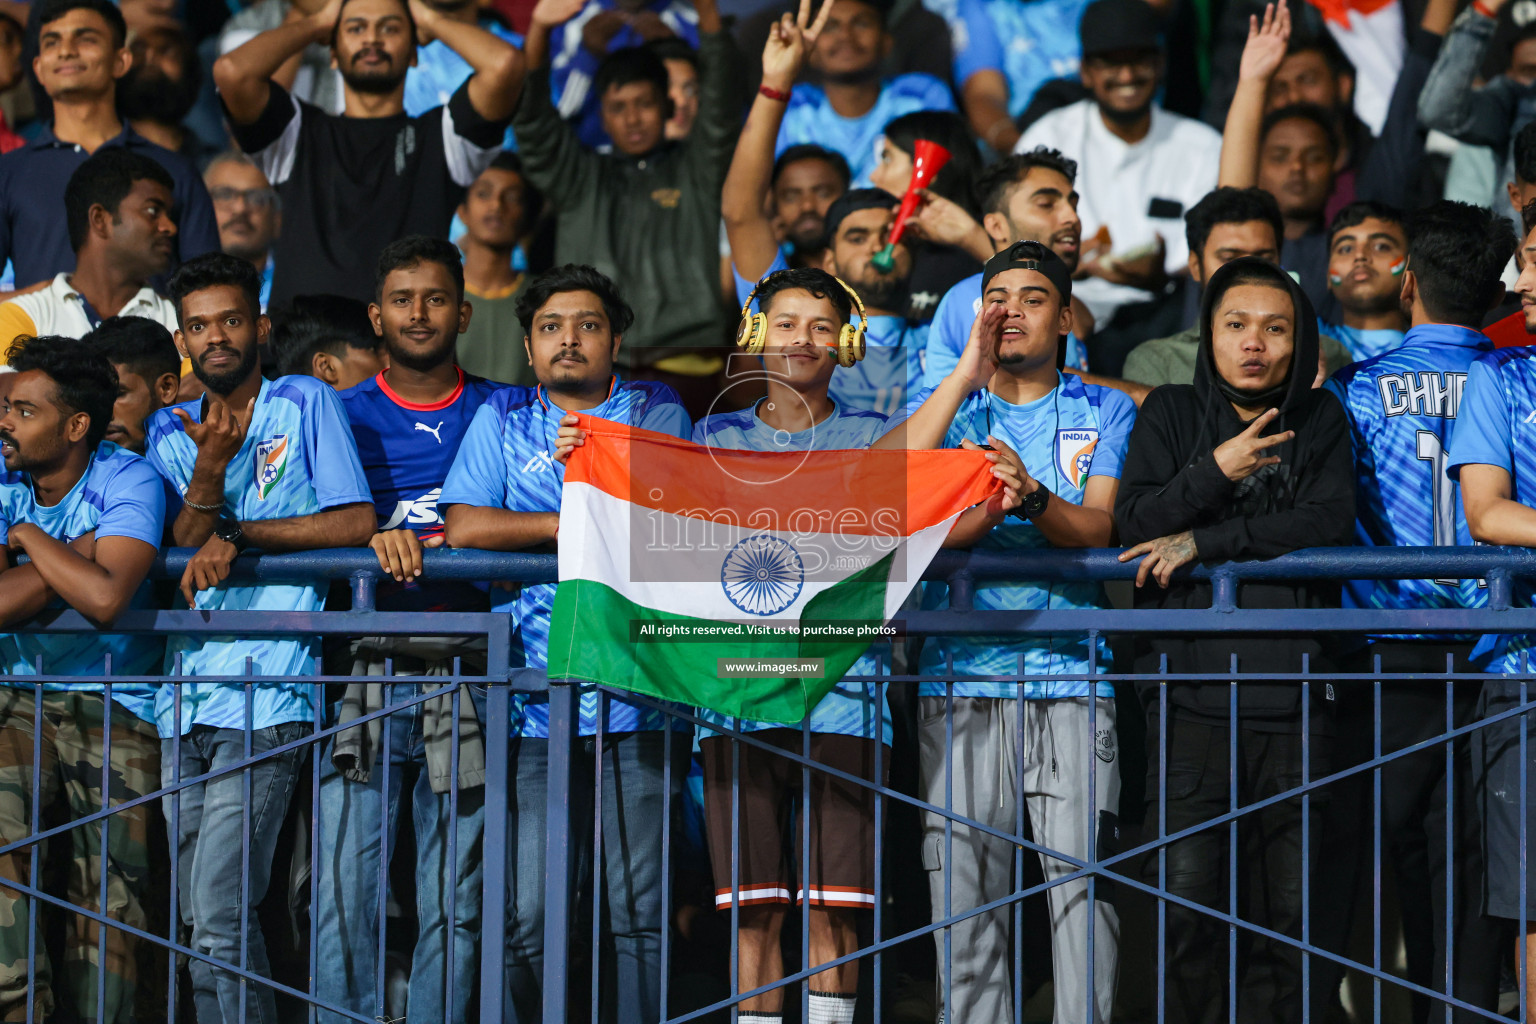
353, 827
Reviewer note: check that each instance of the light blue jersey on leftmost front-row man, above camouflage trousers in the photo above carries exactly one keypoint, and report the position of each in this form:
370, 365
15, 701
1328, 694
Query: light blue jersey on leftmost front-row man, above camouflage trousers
118, 497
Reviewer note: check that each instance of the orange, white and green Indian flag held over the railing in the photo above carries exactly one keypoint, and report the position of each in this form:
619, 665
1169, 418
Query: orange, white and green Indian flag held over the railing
680, 560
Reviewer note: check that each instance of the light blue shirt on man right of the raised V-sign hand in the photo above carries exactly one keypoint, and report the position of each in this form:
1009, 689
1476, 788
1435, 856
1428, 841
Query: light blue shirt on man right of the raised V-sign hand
810, 119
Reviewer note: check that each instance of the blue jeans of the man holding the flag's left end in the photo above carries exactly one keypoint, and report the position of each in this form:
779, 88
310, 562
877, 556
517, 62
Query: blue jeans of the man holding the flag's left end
632, 868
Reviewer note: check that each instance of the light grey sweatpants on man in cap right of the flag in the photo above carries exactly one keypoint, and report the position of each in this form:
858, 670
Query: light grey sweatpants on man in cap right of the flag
1062, 748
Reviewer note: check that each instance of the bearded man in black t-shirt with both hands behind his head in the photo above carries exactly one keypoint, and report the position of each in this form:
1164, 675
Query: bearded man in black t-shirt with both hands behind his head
354, 183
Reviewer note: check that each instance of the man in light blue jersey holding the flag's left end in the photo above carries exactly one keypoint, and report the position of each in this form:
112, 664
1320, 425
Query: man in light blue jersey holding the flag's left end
505, 495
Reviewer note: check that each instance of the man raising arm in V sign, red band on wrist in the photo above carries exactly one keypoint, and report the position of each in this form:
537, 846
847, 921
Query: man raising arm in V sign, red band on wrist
801, 185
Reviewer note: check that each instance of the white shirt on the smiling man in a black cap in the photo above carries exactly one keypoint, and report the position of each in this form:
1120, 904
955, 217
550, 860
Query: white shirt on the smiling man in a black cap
1139, 191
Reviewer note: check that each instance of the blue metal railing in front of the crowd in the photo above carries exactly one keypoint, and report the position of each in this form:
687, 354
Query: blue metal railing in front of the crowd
1498, 567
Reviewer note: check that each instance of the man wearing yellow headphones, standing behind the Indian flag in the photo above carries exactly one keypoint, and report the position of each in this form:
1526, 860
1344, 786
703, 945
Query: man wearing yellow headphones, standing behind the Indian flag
806, 311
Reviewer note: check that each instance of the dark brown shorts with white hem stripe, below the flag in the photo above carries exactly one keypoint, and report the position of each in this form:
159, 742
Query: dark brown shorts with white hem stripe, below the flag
842, 821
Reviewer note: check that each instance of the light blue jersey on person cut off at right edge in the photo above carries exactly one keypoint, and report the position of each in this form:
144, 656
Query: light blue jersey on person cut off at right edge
1497, 426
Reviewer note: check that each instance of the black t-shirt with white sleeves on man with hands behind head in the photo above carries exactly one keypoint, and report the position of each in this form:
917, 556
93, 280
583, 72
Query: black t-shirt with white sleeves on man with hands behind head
351, 185
